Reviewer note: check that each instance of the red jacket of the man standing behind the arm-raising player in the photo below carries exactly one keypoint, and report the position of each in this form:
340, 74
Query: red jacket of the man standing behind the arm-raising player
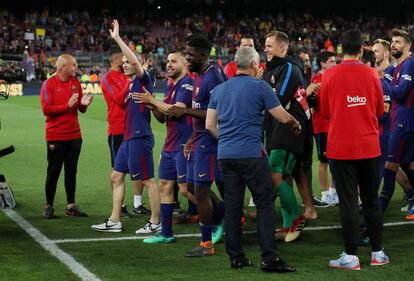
113, 85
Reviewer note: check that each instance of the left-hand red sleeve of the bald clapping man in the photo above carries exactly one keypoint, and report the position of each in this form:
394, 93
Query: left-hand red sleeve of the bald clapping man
46, 99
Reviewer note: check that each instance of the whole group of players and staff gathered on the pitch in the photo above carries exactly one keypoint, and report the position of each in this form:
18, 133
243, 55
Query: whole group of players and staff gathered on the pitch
246, 125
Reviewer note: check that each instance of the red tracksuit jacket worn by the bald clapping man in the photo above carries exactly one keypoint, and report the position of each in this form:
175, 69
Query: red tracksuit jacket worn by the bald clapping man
61, 120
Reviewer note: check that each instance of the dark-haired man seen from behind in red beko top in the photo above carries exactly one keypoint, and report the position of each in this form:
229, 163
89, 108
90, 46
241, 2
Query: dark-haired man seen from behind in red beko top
351, 97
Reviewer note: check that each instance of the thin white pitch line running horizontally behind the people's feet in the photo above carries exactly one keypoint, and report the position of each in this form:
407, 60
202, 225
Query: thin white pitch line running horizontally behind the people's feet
312, 228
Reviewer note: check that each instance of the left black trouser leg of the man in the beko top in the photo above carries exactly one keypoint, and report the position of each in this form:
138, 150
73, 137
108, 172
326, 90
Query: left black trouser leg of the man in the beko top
345, 174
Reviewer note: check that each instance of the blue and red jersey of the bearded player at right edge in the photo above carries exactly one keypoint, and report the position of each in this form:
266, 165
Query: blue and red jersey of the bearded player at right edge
402, 88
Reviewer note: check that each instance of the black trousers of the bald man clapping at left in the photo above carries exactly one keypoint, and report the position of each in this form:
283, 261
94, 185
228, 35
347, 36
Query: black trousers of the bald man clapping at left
59, 153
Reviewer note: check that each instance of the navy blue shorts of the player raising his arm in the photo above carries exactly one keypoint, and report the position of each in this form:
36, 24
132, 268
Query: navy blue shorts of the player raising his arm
135, 157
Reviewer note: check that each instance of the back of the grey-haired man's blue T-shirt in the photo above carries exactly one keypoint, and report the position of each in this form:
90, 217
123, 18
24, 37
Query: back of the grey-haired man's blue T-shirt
240, 106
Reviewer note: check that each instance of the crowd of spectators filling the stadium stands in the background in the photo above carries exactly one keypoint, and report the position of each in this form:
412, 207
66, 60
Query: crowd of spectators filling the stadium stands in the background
42, 35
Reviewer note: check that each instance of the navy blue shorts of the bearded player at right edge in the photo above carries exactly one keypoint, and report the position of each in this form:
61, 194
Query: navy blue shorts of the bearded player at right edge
401, 147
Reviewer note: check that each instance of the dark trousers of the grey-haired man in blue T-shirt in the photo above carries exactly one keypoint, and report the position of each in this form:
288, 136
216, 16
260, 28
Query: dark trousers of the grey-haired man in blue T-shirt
255, 173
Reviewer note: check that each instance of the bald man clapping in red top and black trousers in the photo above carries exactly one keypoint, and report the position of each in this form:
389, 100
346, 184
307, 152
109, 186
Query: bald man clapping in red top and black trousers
61, 98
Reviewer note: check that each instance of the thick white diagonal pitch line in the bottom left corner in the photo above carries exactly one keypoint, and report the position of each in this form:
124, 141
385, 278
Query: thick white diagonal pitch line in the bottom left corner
49, 245
